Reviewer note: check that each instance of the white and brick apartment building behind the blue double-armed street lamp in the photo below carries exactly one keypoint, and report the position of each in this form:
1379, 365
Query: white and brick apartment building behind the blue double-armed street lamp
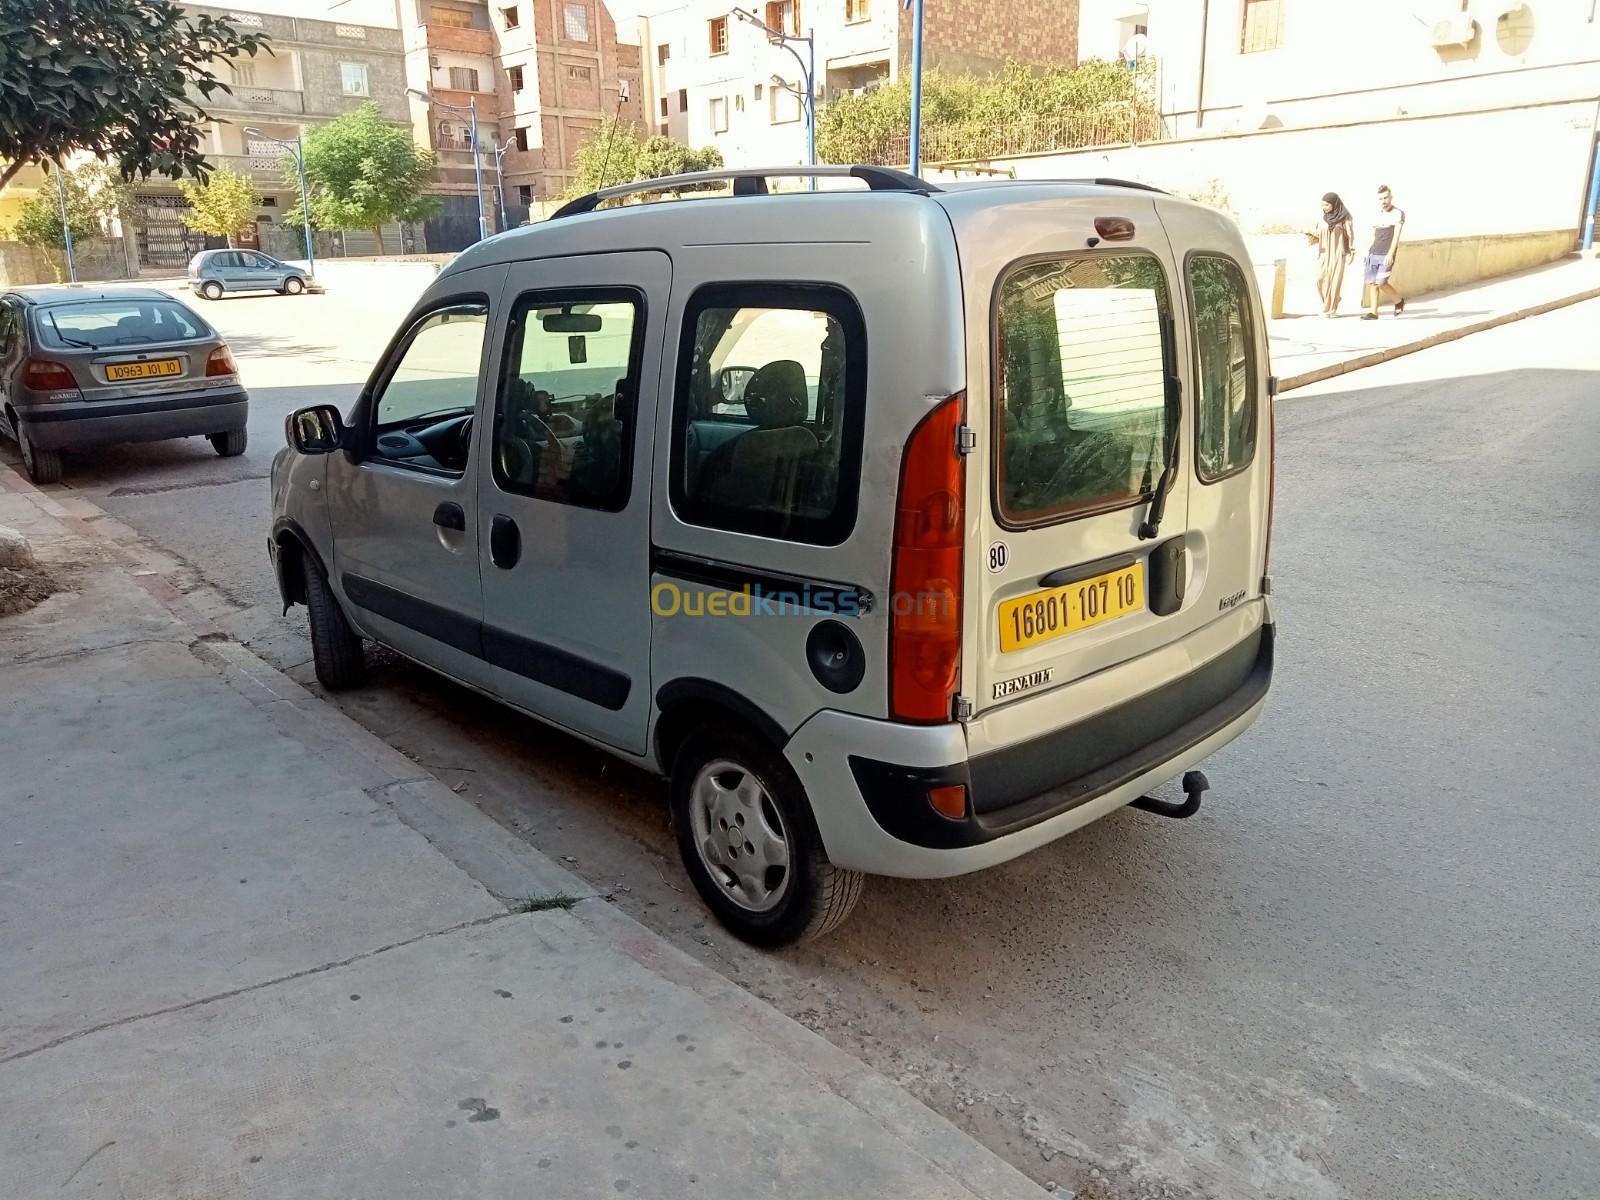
713, 79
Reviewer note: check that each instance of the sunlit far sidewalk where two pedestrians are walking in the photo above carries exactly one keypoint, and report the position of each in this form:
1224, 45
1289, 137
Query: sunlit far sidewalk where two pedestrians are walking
1308, 348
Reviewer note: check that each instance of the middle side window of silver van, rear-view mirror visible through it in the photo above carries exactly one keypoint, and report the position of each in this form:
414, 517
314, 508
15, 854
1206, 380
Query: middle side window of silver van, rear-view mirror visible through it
564, 422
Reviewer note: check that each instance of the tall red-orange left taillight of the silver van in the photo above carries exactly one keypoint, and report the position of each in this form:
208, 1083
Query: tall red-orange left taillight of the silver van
926, 602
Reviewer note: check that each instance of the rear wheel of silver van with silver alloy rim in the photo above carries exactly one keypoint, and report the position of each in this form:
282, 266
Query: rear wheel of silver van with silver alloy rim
750, 842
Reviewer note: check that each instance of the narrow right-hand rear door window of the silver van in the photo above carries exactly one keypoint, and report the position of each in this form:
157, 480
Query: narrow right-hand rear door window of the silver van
1226, 415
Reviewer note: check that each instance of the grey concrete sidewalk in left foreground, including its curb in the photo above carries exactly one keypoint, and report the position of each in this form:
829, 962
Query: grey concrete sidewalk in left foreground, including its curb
249, 950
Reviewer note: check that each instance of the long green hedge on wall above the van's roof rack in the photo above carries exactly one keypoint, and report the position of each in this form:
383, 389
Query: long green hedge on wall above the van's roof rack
977, 118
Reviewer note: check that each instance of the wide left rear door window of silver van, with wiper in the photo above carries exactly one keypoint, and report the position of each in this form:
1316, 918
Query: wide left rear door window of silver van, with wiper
1082, 358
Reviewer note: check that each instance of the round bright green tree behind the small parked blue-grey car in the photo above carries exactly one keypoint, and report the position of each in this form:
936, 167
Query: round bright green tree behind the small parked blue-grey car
364, 174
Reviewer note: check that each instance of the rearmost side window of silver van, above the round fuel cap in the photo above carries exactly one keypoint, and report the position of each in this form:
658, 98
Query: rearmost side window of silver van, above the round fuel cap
769, 412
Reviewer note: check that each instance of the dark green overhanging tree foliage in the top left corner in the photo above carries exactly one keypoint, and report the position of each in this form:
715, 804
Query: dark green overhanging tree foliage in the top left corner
121, 79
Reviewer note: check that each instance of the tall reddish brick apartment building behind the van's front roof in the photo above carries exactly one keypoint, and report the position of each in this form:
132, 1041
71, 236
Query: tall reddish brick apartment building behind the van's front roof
545, 76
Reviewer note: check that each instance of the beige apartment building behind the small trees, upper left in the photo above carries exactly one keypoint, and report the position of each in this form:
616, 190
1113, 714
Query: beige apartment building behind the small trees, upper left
318, 71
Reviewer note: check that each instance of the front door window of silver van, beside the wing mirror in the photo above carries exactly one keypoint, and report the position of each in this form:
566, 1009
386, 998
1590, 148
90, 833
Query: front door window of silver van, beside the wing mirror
422, 418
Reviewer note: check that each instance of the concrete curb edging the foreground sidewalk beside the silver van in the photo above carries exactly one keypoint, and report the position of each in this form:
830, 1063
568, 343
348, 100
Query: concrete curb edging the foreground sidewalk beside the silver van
511, 870
